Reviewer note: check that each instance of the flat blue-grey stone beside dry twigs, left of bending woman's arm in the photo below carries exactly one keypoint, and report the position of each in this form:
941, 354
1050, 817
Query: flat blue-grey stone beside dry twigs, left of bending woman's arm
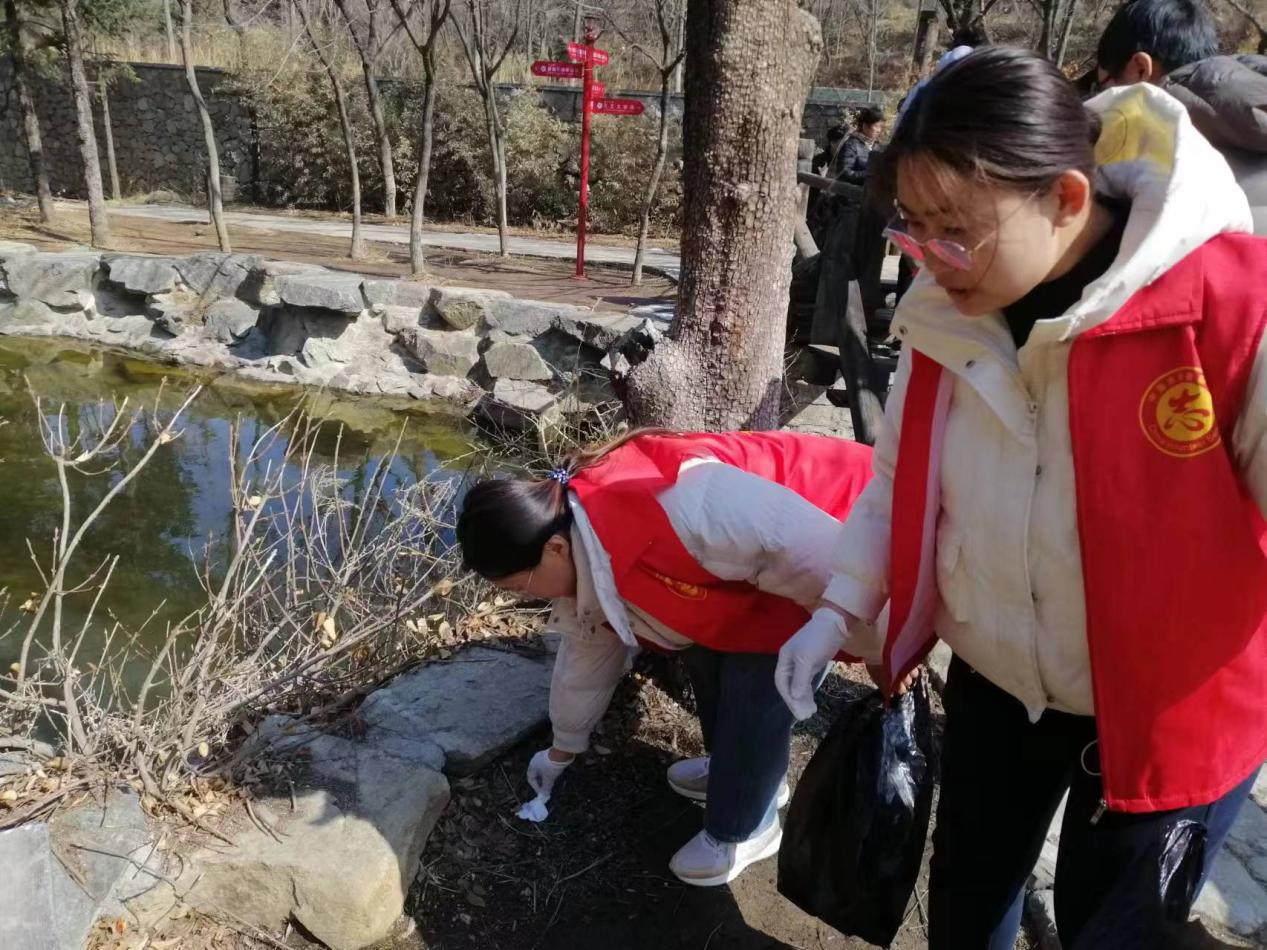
474, 707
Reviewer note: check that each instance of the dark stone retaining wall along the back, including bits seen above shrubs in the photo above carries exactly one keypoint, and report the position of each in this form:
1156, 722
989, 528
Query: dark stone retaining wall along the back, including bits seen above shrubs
159, 139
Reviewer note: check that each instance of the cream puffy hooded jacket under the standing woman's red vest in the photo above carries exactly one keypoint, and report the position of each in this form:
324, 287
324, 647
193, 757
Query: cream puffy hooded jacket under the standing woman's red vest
1009, 569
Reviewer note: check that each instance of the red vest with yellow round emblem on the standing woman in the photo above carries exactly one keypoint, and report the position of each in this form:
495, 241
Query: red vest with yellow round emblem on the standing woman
1173, 545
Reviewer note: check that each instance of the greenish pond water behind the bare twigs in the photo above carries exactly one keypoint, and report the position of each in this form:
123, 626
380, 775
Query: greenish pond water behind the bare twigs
164, 517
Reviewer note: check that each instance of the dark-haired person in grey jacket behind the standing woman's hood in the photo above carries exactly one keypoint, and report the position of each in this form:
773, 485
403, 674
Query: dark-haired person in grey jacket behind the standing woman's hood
1173, 44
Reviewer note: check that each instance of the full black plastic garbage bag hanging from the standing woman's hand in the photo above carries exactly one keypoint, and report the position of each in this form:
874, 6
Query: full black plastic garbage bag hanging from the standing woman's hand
855, 833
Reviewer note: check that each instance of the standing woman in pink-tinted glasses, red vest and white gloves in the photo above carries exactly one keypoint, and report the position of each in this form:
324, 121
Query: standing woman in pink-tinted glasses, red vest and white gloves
1070, 491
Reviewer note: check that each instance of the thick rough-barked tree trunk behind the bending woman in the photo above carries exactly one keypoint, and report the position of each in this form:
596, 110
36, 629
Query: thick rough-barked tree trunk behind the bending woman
749, 70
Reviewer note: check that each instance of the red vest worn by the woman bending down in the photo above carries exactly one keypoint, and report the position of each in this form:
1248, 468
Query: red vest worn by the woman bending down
653, 569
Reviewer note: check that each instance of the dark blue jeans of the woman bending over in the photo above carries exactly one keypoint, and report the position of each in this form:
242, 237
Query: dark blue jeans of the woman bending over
748, 733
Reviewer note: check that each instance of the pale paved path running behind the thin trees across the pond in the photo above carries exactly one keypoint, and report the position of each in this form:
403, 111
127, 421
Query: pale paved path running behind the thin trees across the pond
665, 262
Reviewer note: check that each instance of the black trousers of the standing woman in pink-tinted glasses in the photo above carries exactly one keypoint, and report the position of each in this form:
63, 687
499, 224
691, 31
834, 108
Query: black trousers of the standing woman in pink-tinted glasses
1003, 780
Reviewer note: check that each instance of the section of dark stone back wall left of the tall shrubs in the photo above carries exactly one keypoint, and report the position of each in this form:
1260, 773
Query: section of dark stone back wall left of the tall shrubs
158, 135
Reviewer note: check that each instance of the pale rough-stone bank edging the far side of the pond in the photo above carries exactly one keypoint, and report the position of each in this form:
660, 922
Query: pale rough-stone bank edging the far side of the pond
516, 363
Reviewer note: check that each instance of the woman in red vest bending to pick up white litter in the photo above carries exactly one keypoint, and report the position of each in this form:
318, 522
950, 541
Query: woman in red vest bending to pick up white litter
708, 545
